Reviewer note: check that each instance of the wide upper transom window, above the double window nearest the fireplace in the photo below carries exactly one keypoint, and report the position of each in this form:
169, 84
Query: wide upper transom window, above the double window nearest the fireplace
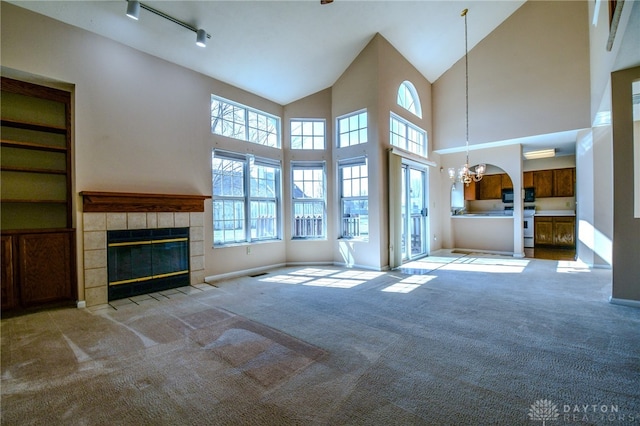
241, 122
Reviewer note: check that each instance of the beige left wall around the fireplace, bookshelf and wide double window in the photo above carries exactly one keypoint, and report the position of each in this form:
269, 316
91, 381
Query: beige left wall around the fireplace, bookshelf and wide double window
141, 124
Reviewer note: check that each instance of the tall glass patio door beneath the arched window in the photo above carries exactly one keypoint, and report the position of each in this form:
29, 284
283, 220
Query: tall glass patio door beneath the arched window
414, 213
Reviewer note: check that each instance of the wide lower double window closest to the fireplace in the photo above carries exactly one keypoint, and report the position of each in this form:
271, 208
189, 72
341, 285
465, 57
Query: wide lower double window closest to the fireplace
243, 183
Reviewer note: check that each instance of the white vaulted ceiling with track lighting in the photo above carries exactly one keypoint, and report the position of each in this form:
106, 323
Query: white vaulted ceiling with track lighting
286, 50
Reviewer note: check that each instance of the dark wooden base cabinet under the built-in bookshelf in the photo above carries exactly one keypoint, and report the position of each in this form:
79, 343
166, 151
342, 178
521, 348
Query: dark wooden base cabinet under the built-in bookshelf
38, 268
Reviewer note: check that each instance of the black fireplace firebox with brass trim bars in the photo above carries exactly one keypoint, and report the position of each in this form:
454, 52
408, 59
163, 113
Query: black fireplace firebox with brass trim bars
141, 261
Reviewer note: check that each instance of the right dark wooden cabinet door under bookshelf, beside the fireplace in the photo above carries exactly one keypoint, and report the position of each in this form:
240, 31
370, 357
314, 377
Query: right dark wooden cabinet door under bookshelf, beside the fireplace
45, 268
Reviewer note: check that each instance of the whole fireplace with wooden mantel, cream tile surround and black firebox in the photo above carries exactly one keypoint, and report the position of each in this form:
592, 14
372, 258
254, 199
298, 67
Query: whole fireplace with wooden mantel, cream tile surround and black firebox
137, 243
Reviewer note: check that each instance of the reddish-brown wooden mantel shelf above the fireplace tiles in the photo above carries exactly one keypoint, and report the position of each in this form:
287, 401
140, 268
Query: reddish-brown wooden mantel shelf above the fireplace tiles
102, 202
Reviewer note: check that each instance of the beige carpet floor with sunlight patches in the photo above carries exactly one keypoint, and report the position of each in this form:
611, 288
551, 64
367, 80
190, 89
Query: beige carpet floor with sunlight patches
452, 339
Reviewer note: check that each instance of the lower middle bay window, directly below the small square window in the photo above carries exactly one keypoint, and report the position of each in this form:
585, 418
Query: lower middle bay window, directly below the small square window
309, 206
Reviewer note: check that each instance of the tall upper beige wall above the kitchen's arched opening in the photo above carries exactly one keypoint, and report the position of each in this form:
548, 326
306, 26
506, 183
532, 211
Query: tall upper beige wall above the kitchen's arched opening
528, 77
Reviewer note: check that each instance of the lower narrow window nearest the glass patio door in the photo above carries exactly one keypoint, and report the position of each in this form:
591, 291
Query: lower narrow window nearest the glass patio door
354, 178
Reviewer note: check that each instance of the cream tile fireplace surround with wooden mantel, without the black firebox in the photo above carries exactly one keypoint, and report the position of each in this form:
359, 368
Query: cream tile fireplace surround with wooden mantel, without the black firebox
106, 211
